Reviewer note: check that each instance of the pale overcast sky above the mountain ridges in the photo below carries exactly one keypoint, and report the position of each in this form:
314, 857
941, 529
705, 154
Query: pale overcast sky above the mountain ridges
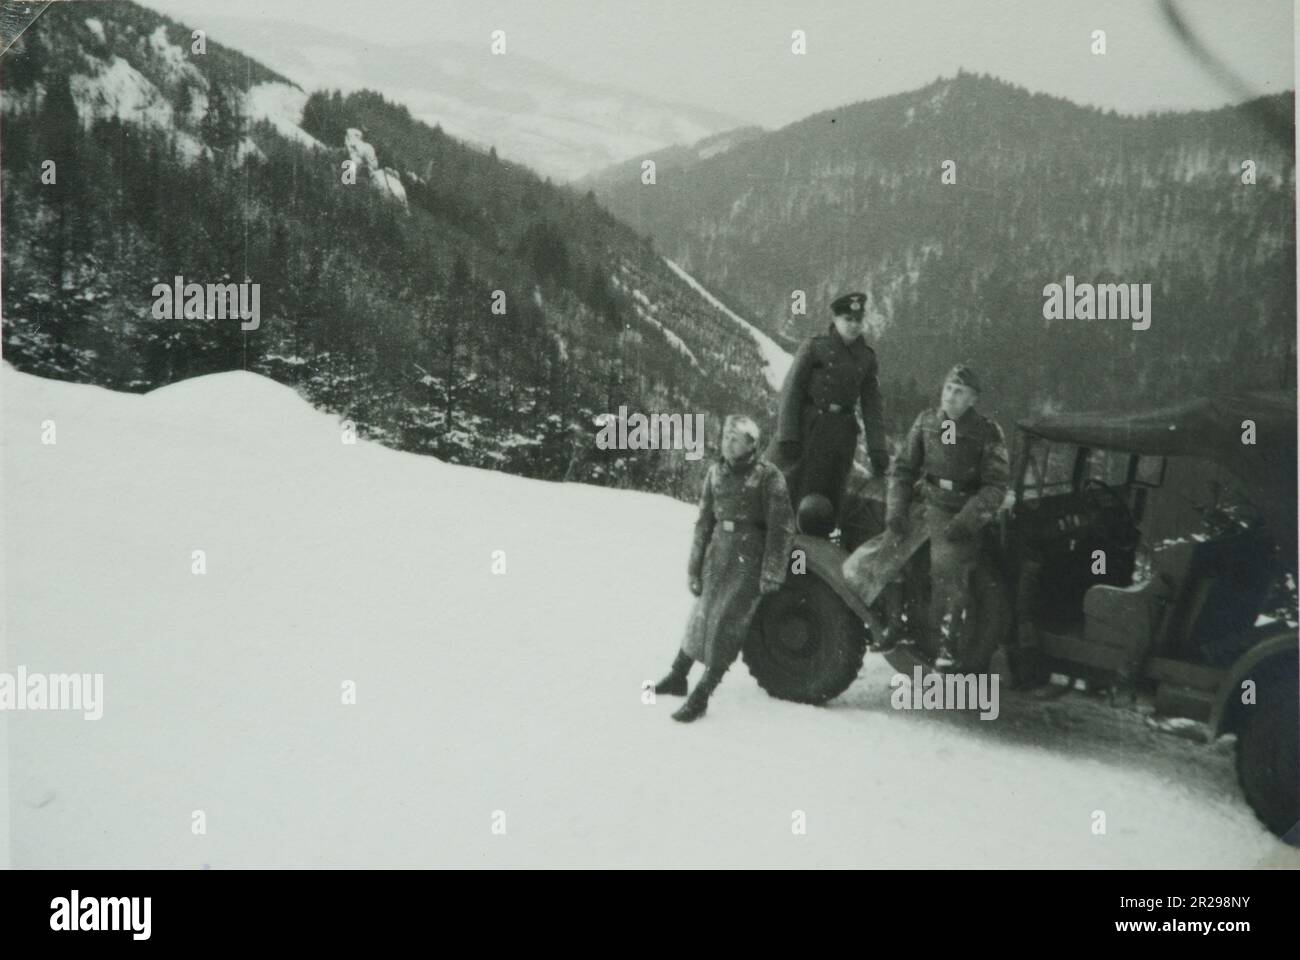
735, 57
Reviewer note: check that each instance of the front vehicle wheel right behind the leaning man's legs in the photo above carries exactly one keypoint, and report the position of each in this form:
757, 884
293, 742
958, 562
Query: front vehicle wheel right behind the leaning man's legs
805, 645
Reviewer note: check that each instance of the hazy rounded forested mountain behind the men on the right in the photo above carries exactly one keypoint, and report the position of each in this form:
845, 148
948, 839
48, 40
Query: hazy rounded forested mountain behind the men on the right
855, 198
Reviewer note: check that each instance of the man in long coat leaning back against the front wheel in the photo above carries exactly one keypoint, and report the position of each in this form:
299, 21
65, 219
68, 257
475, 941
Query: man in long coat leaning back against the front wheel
740, 553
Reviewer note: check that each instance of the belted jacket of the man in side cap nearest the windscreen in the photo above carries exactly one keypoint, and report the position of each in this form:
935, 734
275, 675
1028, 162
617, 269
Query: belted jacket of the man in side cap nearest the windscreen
976, 468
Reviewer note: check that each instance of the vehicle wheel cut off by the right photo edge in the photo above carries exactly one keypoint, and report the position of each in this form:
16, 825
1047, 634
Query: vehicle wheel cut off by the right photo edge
1268, 760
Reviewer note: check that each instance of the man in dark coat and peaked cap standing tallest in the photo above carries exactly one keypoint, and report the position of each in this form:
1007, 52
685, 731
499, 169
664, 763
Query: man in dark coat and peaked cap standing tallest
817, 433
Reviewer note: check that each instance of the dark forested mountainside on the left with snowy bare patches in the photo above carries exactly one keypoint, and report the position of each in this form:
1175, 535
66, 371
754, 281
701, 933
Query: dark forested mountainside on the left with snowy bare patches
378, 297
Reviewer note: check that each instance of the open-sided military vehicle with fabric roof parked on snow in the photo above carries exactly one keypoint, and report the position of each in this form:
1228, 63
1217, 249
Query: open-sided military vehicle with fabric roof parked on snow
1186, 628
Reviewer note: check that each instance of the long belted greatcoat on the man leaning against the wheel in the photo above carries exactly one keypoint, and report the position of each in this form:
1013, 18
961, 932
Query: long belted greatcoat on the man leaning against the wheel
744, 537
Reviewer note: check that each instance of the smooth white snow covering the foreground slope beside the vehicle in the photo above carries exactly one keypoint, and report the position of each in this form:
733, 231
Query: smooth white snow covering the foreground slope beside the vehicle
475, 693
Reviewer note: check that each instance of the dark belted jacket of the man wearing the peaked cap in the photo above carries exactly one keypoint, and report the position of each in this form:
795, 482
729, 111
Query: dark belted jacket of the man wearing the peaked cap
826, 371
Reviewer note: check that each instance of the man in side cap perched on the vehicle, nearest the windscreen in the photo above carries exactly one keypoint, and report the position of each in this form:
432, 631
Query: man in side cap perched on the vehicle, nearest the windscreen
960, 459
